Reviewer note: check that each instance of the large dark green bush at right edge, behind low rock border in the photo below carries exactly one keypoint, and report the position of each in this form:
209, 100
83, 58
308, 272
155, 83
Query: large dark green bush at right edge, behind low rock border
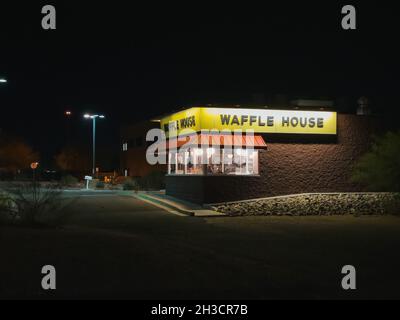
379, 169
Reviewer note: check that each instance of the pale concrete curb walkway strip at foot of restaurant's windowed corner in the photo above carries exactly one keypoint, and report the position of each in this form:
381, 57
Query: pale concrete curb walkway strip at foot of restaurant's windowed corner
181, 206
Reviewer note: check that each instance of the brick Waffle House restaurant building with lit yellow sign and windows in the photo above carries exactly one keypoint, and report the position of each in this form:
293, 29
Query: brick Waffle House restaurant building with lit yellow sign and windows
290, 152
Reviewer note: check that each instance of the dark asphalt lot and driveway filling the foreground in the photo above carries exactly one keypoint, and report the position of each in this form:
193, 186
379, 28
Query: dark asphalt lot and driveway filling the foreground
115, 246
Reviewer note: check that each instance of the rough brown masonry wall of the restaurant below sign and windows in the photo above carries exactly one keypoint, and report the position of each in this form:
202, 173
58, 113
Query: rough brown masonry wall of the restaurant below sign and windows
290, 165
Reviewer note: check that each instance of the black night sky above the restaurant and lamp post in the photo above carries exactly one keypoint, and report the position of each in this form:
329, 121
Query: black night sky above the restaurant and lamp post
132, 62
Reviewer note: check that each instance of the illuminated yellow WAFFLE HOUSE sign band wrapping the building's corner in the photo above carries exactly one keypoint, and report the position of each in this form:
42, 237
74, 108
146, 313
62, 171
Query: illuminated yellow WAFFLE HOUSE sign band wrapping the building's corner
258, 120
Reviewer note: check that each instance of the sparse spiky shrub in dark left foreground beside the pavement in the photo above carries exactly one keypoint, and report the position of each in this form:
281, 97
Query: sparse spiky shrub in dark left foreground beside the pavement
34, 204
